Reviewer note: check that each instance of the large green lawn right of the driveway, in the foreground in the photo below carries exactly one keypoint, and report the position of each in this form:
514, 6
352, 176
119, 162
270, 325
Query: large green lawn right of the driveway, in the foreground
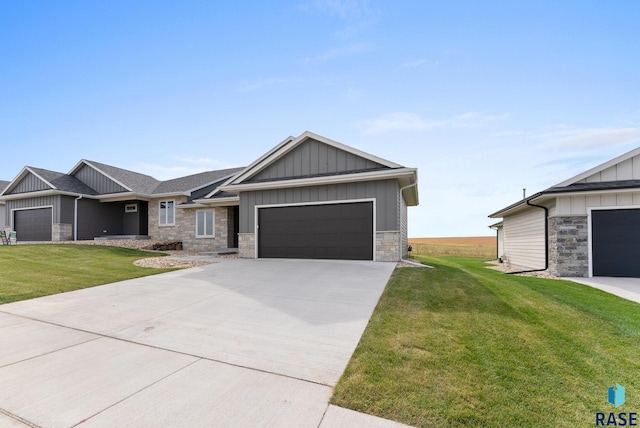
463, 345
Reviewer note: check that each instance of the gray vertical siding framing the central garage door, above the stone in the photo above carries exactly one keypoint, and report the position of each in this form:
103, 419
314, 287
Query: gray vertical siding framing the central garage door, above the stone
384, 191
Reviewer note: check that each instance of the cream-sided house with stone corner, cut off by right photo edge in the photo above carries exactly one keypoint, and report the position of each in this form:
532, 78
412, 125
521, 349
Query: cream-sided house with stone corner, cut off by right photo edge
588, 225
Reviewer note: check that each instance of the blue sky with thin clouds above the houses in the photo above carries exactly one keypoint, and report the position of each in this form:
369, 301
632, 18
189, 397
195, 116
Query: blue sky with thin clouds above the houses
485, 98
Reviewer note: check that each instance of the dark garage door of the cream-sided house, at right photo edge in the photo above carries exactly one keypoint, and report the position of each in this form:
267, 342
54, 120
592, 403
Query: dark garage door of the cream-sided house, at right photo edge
615, 242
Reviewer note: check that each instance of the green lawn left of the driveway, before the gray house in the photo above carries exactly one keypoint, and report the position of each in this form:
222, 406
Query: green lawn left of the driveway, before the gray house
28, 271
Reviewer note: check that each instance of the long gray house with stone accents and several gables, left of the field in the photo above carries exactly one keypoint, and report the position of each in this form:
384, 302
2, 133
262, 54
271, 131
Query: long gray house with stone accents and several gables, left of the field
308, 197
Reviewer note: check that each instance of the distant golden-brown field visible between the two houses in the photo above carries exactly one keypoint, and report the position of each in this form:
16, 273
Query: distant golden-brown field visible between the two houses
466, 246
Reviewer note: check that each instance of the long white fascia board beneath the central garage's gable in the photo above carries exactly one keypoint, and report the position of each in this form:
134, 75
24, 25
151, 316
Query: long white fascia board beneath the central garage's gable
317, 181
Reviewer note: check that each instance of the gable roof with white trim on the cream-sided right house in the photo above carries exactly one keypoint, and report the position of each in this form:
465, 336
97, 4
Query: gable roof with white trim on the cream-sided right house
578, 183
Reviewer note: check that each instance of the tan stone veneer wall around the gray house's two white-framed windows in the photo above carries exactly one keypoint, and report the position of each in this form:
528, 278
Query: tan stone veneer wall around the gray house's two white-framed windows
184, 229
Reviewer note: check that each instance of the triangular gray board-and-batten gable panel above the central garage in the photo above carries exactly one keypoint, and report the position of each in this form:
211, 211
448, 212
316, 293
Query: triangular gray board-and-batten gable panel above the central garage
313, 158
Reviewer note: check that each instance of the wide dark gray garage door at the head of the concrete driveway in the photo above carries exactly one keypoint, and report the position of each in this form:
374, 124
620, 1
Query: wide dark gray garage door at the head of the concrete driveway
334, 231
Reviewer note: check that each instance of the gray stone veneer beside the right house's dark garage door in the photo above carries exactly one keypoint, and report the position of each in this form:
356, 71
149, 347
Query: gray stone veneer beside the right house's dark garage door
569, 246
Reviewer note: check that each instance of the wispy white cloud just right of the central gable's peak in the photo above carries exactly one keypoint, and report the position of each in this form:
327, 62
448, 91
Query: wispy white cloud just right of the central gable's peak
404, 121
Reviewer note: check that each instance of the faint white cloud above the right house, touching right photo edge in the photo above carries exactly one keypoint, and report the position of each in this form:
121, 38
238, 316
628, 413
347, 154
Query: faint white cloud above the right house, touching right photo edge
591, 138
